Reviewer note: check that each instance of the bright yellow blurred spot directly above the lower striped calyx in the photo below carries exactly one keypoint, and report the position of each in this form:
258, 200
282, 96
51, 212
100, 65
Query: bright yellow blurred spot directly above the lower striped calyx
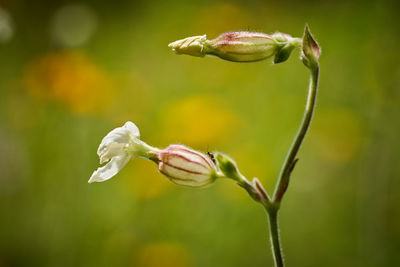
198, 121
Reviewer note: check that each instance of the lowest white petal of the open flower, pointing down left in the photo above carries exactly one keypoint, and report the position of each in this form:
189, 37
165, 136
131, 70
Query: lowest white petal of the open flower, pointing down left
110, 169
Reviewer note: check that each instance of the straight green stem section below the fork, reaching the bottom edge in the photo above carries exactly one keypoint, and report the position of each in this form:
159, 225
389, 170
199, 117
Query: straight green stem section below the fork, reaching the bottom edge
274, 236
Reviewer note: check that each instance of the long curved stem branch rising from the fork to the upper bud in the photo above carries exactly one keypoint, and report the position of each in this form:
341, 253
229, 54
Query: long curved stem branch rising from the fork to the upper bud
291, 160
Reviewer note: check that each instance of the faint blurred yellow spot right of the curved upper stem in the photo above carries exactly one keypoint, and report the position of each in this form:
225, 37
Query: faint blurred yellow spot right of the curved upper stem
337, 134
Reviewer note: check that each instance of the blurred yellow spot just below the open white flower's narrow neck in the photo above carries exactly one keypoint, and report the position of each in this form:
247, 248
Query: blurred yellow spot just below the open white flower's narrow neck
141, 179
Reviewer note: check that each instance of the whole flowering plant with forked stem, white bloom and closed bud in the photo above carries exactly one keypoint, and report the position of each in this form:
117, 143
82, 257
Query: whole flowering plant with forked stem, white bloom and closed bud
188, 167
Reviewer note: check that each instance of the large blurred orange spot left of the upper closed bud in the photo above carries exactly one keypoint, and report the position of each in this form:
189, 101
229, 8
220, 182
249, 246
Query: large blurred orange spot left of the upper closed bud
71, 79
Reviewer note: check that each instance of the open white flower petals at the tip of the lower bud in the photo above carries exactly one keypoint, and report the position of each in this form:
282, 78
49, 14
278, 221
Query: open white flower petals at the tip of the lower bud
117, 148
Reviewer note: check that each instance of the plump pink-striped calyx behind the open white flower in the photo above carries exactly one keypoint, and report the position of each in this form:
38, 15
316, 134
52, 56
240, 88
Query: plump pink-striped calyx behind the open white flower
186, 166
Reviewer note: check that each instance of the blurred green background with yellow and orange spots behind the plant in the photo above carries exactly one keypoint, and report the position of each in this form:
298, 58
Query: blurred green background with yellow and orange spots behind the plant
70, 71
